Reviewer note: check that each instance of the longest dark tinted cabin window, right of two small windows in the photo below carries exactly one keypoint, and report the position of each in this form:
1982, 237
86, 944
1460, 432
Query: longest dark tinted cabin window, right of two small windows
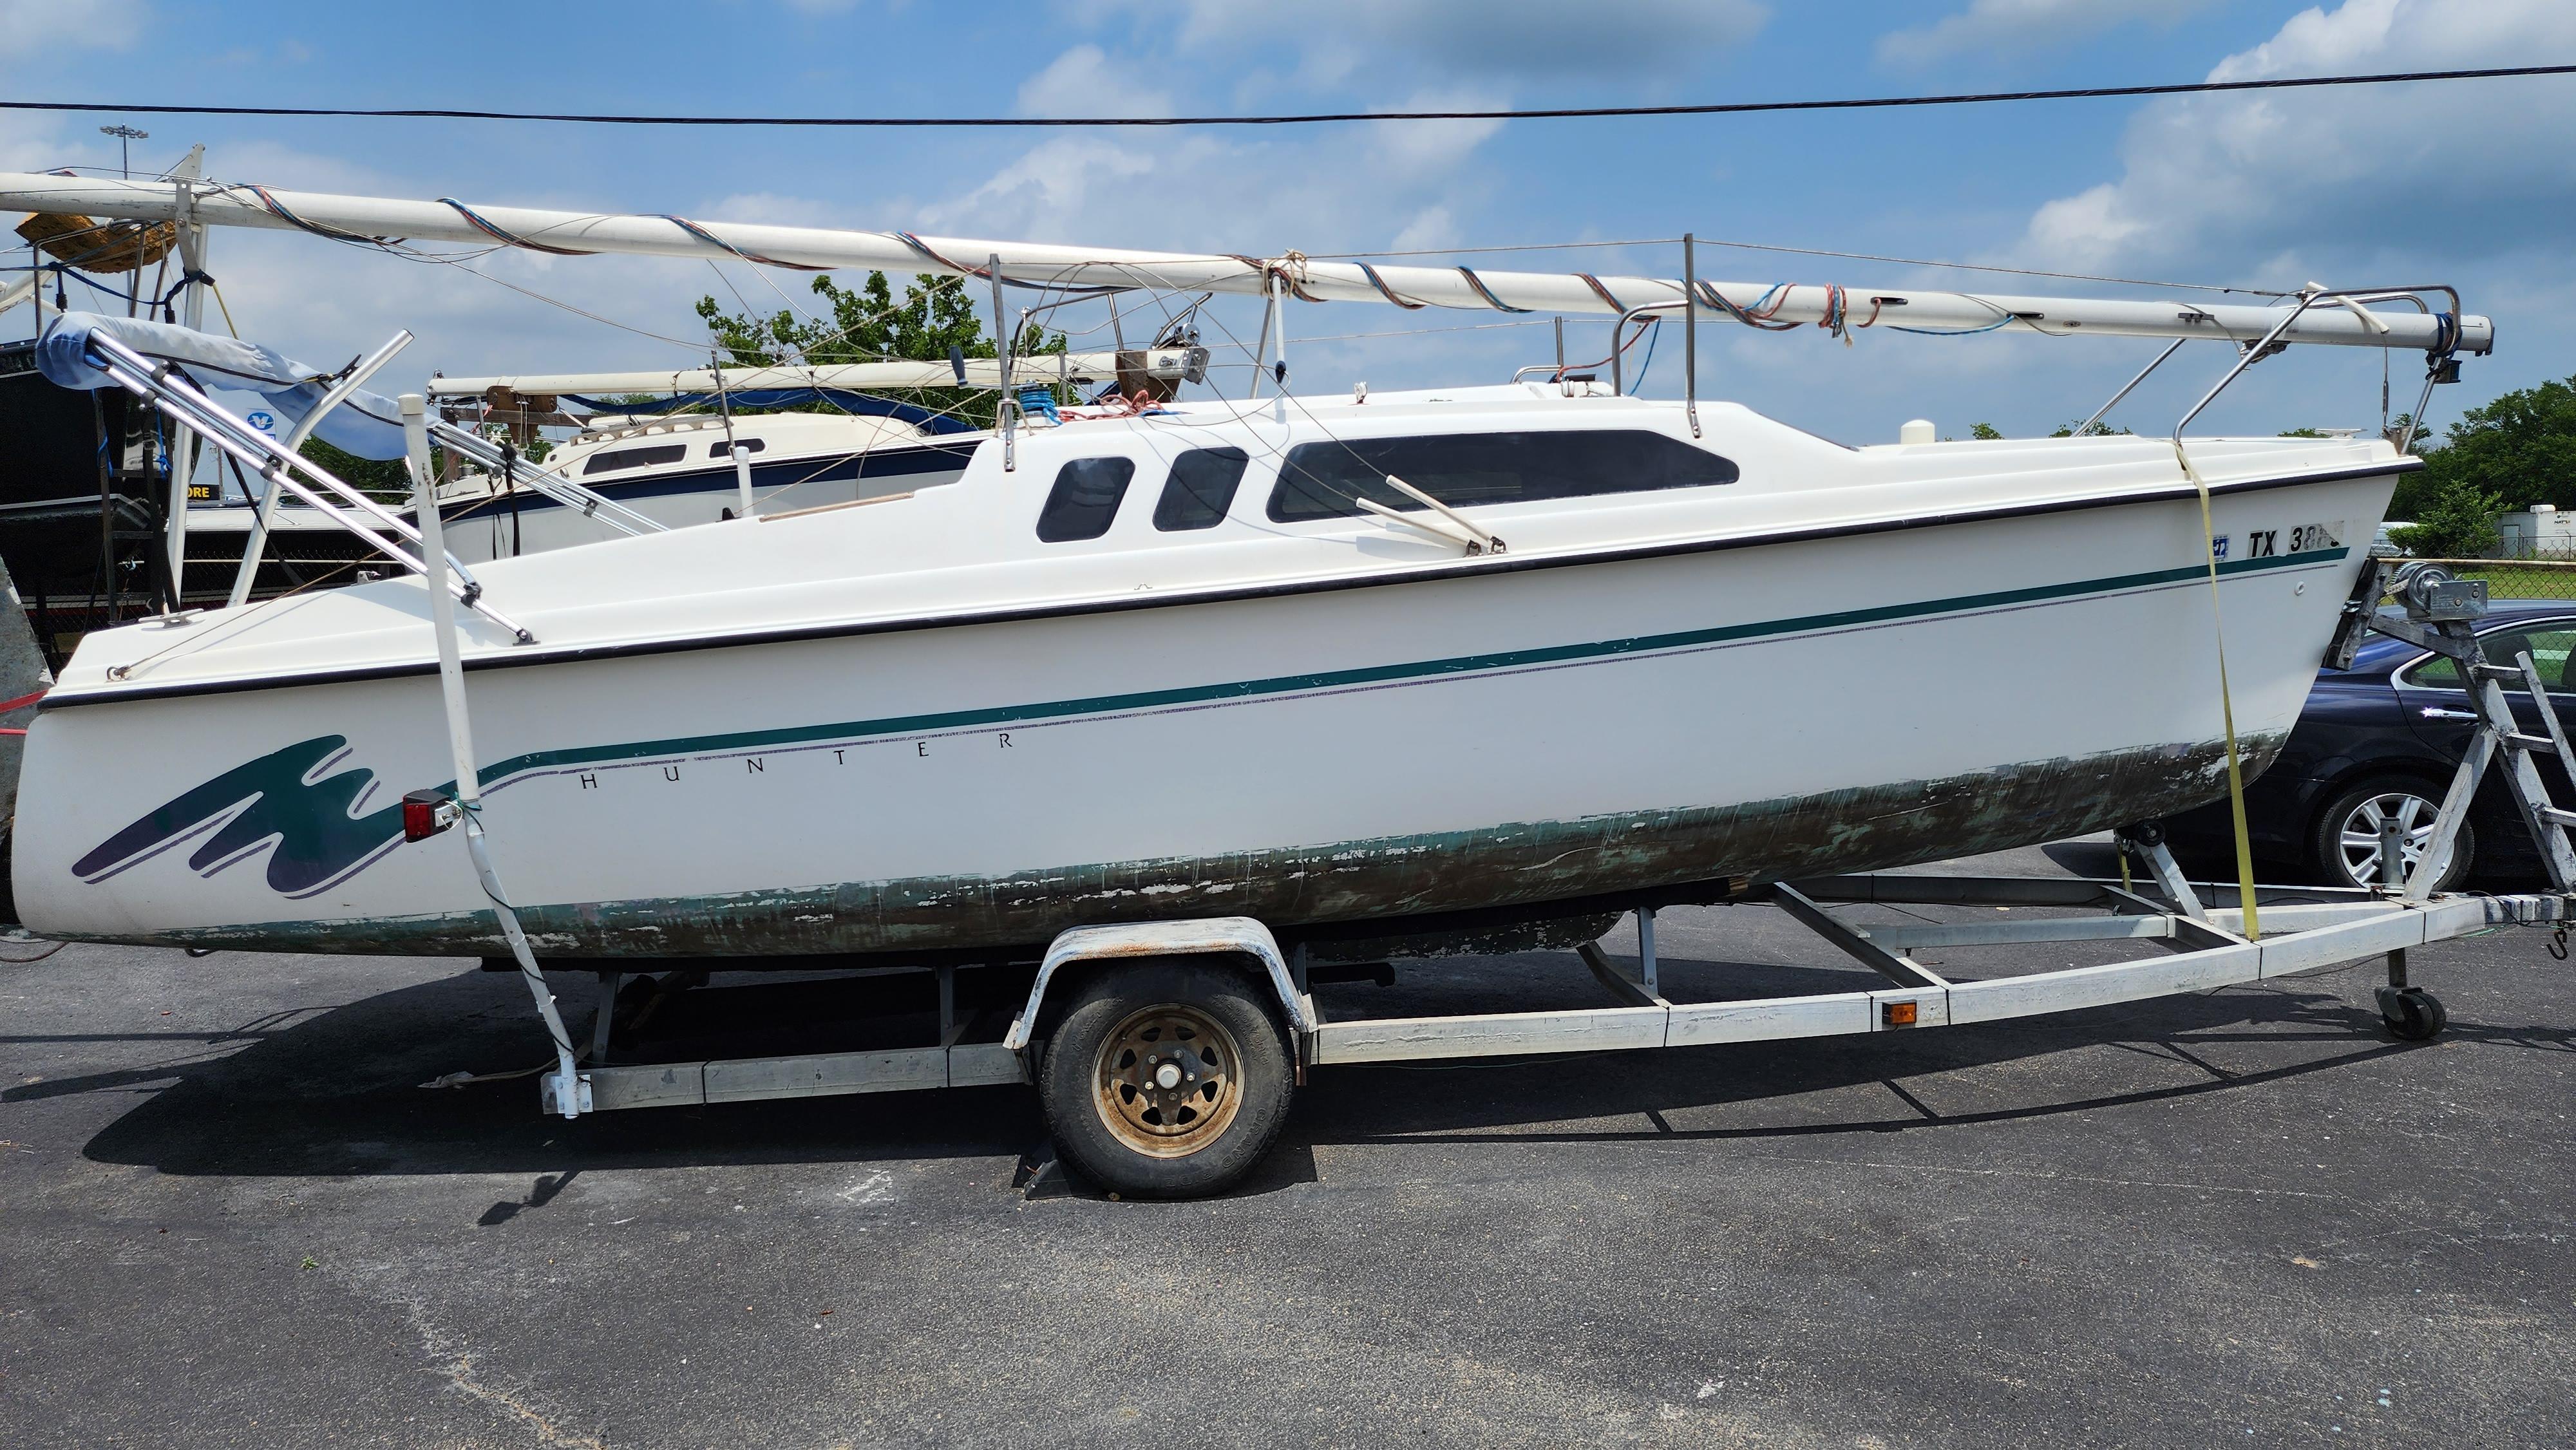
1325, 480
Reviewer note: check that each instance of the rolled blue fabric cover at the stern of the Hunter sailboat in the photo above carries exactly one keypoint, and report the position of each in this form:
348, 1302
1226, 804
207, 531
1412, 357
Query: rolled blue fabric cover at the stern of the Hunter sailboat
365, 424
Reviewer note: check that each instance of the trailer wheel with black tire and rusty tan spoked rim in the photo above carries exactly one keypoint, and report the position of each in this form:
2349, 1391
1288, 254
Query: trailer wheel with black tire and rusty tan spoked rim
1166, 1080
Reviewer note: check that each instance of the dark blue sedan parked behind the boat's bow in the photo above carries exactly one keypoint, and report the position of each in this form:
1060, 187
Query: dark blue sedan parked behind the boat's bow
2382, 740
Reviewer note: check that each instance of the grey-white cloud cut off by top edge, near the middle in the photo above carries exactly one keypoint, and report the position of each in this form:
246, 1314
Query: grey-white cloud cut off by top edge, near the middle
1336, 40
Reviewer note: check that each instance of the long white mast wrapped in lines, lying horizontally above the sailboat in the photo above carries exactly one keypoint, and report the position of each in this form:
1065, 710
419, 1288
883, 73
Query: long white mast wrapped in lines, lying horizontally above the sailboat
818, 249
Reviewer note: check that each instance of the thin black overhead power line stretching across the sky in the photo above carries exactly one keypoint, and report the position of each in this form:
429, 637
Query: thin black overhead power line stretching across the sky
1310, 117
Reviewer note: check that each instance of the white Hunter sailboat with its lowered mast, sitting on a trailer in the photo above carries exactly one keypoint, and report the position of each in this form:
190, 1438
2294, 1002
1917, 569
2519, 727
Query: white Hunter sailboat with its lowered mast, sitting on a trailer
1392, 661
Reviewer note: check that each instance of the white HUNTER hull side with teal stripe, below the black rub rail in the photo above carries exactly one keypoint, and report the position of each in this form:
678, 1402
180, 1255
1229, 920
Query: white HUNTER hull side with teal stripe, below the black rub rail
1377, 751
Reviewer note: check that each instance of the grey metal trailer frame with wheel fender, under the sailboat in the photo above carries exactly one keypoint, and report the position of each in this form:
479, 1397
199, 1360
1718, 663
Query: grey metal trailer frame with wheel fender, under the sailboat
2204, 949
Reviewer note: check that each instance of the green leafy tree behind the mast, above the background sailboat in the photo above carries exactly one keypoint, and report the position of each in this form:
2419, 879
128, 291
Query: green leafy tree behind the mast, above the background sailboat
867, 326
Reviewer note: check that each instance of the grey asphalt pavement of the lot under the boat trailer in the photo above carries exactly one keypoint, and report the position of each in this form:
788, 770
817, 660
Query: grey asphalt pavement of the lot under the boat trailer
231, 1214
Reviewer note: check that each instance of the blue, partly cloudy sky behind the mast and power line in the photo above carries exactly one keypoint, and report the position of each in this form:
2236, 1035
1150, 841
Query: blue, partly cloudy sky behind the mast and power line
2469, 184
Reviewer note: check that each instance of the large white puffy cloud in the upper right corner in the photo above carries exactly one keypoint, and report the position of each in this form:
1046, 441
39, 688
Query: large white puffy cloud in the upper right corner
2345, 179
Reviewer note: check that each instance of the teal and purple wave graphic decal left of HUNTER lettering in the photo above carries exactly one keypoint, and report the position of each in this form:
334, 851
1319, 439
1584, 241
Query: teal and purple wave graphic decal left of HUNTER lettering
279, 797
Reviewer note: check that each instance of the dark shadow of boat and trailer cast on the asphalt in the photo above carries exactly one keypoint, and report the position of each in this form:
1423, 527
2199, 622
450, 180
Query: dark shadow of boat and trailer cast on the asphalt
339, 1091
